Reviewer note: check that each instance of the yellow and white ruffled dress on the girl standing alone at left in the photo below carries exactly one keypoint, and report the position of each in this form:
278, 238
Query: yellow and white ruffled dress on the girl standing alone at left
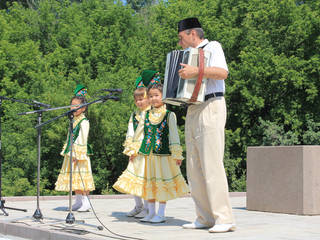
81, 171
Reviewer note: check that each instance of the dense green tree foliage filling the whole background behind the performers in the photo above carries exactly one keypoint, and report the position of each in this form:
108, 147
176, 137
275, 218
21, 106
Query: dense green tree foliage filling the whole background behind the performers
272, 92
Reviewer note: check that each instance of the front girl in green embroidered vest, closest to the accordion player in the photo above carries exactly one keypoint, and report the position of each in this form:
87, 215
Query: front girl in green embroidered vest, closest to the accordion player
163, 156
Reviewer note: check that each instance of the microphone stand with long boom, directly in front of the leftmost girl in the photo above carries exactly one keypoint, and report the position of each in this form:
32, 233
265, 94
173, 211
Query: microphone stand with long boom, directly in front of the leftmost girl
70, 219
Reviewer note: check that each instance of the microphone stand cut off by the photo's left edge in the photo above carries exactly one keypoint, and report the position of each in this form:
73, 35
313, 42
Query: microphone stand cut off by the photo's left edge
2, 206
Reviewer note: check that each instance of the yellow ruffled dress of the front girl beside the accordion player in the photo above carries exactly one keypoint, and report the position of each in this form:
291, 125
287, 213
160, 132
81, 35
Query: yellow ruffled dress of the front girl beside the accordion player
163, 178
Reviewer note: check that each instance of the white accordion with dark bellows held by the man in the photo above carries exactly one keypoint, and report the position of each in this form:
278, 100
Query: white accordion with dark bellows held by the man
178, 91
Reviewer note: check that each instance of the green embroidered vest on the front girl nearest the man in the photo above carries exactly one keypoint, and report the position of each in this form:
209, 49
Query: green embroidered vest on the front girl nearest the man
156, 137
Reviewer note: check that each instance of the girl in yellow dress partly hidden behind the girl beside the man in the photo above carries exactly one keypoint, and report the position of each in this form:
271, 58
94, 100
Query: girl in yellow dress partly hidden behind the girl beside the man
131, 180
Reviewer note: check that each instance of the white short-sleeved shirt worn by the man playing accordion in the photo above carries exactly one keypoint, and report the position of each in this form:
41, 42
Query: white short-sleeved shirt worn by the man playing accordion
217, 60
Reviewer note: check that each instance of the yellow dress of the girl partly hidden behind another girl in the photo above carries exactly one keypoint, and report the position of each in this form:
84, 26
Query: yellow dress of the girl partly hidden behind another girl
132, 179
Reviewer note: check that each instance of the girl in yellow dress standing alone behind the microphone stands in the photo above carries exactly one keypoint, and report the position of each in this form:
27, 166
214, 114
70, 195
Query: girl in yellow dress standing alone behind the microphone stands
82, 180
